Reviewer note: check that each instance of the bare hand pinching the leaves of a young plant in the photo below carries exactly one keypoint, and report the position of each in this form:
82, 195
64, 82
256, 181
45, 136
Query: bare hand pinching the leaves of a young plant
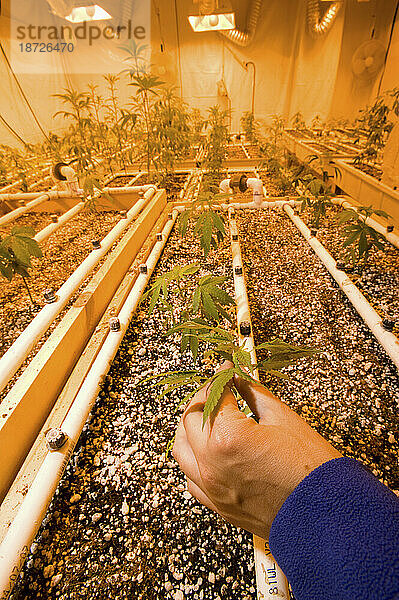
245, 470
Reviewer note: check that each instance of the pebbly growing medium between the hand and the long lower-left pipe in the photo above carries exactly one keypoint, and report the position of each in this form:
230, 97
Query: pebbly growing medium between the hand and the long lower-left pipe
122, 525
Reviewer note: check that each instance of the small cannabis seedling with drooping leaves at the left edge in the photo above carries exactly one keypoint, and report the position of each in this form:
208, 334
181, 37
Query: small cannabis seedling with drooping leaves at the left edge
16, 251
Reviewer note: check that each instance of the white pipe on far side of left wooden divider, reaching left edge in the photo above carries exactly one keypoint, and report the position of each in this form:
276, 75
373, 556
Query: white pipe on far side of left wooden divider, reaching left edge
15, 356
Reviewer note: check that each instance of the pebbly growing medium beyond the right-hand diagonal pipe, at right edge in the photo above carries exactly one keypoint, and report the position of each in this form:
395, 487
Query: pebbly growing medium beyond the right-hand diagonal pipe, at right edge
379, 280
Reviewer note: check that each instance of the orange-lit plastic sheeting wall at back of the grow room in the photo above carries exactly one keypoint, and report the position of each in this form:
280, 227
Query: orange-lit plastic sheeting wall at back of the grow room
294, 72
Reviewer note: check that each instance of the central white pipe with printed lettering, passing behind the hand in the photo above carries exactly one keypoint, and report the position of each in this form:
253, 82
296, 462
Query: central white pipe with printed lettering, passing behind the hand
267, 570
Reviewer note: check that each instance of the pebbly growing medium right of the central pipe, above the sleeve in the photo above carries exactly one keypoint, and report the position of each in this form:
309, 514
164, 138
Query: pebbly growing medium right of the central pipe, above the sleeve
350, 392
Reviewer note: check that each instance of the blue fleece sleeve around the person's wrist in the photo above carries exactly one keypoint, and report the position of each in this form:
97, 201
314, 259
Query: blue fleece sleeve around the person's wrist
336, 537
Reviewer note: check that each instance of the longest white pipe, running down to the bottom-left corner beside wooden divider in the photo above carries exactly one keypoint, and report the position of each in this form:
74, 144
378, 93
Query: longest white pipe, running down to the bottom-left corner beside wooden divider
22, 531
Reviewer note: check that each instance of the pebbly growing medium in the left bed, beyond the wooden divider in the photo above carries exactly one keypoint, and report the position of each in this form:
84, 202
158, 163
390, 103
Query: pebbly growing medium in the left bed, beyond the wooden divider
63, 252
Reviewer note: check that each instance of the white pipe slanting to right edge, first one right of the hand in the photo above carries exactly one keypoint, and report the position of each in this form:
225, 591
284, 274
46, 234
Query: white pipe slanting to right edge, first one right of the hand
388, 340
